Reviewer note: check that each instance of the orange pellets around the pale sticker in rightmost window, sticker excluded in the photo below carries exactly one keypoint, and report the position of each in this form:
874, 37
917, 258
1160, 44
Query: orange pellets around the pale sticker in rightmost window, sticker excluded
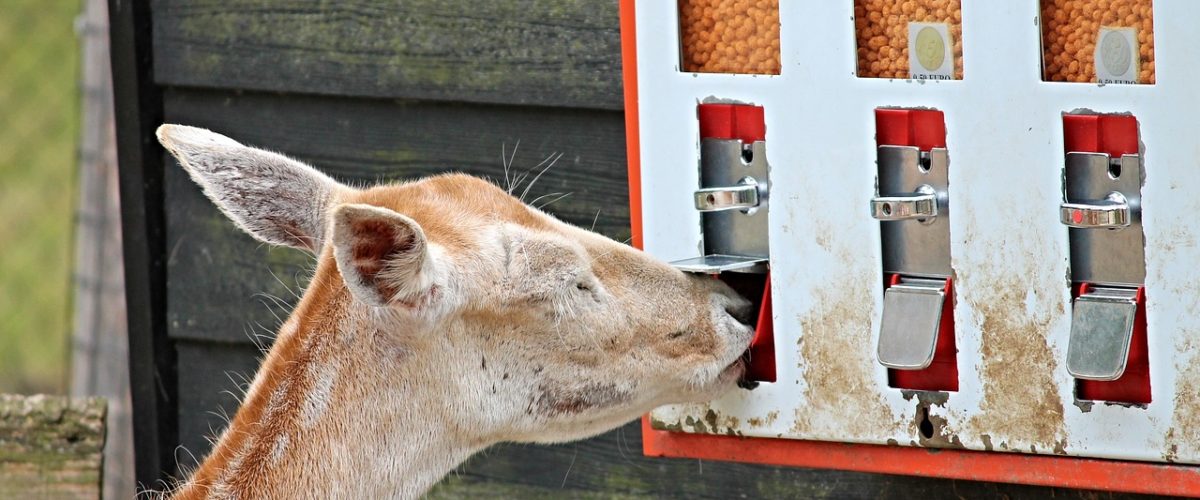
1070, 29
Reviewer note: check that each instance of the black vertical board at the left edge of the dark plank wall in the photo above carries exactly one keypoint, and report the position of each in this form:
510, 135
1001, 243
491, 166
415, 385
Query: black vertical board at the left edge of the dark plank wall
139, 111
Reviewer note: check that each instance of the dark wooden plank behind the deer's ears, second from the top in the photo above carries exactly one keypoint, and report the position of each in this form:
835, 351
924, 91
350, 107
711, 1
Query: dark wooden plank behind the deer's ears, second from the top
223, 285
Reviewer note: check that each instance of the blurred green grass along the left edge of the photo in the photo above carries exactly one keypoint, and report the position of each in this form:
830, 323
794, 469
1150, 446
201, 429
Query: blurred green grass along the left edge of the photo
39, 131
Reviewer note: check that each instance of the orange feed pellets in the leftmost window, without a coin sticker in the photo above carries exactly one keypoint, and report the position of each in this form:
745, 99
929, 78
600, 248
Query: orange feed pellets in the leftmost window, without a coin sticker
730, 37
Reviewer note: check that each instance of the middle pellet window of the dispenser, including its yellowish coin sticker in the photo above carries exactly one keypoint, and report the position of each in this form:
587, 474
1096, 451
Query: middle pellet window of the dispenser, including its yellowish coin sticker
909, 39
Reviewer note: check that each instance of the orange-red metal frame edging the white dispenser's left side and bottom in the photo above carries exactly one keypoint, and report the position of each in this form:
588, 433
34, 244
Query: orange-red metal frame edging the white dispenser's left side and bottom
974, 466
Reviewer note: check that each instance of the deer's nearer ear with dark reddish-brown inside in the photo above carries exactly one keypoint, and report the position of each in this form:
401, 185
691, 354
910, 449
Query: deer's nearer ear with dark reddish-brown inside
383, 256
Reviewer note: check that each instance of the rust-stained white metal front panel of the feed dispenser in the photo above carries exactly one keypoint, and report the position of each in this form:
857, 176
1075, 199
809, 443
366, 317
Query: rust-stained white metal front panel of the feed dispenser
1010, 252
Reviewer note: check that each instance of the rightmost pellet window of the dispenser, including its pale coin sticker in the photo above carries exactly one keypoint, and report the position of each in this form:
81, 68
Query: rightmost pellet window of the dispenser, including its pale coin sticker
1099, 41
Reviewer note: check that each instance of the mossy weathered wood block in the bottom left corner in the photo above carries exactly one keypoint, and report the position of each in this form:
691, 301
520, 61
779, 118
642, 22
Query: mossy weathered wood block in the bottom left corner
51, 447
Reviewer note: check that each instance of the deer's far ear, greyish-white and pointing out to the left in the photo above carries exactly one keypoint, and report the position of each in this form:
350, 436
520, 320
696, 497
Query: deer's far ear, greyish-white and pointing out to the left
274, 198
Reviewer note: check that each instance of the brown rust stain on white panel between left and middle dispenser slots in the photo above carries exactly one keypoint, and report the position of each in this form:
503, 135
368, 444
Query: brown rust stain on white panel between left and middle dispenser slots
842, 396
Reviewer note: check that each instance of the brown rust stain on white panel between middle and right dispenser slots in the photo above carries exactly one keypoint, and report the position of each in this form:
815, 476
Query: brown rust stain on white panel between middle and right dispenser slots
1021, 399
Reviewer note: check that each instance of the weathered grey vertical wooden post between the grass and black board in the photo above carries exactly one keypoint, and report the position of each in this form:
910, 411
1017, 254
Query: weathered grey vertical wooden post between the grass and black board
100, 345
